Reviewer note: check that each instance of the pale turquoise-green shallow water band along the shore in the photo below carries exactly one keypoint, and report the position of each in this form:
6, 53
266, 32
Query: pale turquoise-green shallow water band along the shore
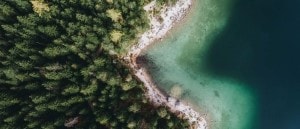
180, 59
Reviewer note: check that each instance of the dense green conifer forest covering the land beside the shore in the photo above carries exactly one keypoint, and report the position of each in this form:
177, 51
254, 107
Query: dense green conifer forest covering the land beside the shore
60, 66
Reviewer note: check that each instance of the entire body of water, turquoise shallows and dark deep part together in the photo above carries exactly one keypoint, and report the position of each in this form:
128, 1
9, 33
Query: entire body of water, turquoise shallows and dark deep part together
237, 61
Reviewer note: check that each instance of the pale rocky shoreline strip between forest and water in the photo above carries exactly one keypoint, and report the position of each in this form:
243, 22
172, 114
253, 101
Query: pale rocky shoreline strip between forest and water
170, 15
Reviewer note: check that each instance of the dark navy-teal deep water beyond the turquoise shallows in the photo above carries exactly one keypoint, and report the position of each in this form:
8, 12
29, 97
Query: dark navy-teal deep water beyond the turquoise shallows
260, 45
